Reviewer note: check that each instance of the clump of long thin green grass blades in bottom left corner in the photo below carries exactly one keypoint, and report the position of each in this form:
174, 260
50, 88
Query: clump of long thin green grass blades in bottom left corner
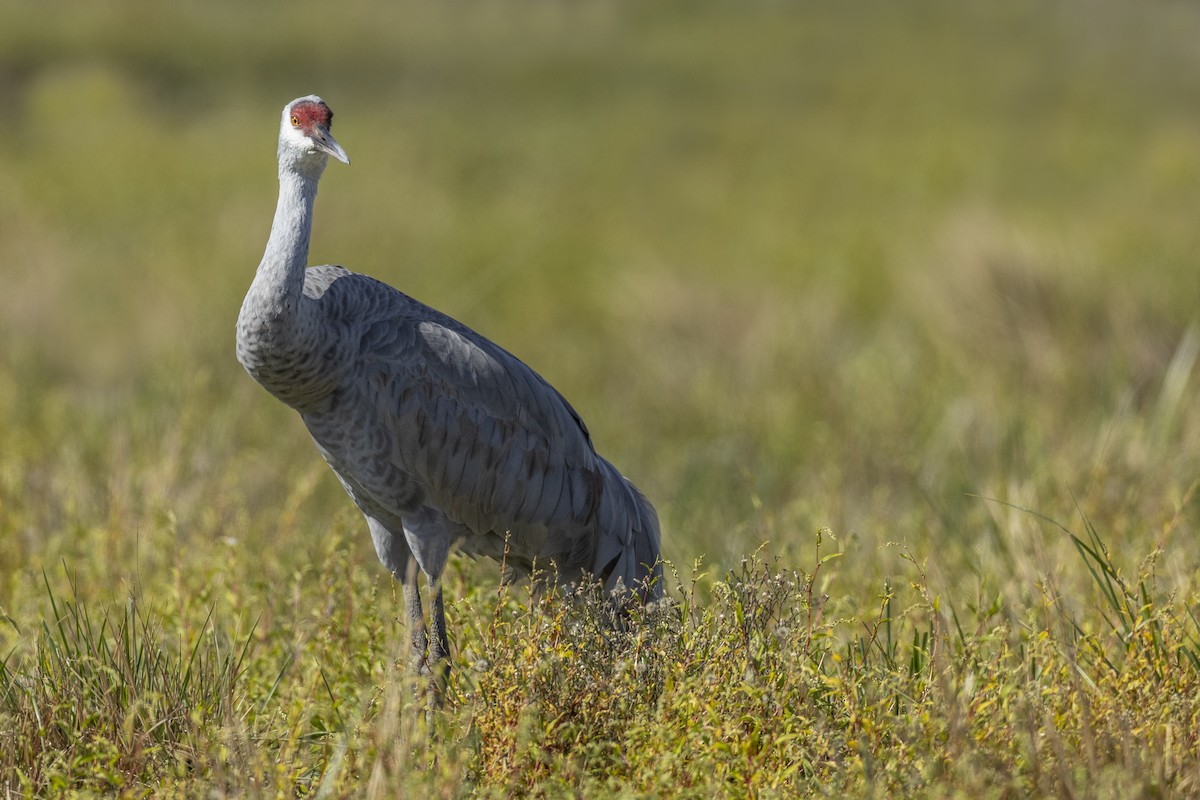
107, 700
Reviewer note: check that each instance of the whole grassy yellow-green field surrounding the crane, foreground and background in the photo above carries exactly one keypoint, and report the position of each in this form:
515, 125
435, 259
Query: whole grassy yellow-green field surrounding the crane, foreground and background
891, 309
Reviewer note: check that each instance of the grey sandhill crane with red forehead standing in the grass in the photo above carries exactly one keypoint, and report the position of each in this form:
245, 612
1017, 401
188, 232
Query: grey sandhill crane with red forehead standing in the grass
440, 436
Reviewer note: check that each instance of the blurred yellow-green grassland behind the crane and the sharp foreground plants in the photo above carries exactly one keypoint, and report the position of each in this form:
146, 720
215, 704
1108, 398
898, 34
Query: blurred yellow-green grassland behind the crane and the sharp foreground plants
855, 266
